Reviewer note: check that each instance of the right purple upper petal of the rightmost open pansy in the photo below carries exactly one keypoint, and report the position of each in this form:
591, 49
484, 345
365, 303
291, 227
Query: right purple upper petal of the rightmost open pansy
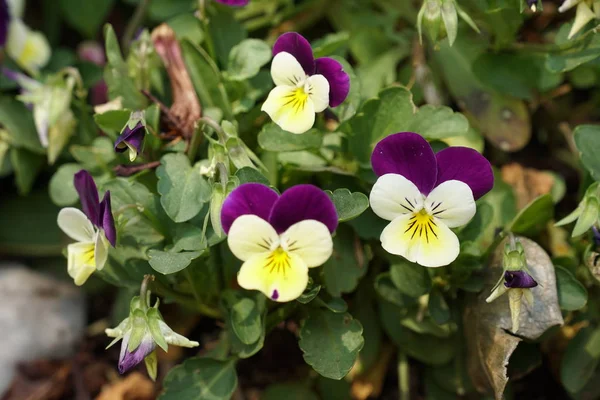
466, 165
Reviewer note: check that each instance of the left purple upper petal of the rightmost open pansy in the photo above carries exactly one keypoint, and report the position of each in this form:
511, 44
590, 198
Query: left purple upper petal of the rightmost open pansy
409, 155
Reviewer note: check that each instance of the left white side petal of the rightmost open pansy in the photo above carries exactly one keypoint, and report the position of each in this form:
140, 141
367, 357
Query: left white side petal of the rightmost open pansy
394, 195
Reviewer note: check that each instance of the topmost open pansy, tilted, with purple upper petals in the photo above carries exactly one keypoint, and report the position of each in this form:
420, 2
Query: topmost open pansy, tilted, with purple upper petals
303, 86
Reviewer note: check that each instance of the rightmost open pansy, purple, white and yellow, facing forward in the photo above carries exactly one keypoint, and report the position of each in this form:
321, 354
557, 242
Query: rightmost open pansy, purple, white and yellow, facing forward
425, 194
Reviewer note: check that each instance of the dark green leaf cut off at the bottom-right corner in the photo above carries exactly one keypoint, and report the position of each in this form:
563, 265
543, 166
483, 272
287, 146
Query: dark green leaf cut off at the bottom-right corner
580, 359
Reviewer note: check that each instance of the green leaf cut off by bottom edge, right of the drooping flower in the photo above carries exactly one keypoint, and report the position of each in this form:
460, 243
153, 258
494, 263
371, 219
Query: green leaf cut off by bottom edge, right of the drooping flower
200, 379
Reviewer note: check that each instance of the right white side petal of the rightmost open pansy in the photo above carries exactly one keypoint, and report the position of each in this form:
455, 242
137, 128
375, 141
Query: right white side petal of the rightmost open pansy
452, 202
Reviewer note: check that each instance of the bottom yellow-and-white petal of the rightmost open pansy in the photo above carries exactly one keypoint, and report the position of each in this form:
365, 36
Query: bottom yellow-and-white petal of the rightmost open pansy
421, 239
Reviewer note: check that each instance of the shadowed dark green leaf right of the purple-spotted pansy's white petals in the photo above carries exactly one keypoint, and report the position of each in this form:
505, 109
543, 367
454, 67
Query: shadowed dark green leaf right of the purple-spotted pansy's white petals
347, 264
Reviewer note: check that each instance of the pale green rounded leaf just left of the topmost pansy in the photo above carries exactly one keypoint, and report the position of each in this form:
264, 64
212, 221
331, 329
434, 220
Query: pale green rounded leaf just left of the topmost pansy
247, 58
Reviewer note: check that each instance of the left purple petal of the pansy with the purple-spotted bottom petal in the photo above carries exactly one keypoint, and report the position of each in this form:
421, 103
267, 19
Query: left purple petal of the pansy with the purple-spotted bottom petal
248, 198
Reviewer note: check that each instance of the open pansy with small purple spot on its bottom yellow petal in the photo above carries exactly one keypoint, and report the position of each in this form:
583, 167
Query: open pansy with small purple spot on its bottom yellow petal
278, 237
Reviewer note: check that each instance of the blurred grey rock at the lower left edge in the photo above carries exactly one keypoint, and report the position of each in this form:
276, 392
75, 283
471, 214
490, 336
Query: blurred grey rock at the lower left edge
40, 317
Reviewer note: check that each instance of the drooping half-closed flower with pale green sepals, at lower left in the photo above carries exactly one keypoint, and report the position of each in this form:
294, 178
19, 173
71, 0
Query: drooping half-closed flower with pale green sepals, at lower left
141, 332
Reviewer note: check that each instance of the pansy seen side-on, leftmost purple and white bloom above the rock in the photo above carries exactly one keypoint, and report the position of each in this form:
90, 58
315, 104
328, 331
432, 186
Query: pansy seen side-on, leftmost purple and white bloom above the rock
93, 229
